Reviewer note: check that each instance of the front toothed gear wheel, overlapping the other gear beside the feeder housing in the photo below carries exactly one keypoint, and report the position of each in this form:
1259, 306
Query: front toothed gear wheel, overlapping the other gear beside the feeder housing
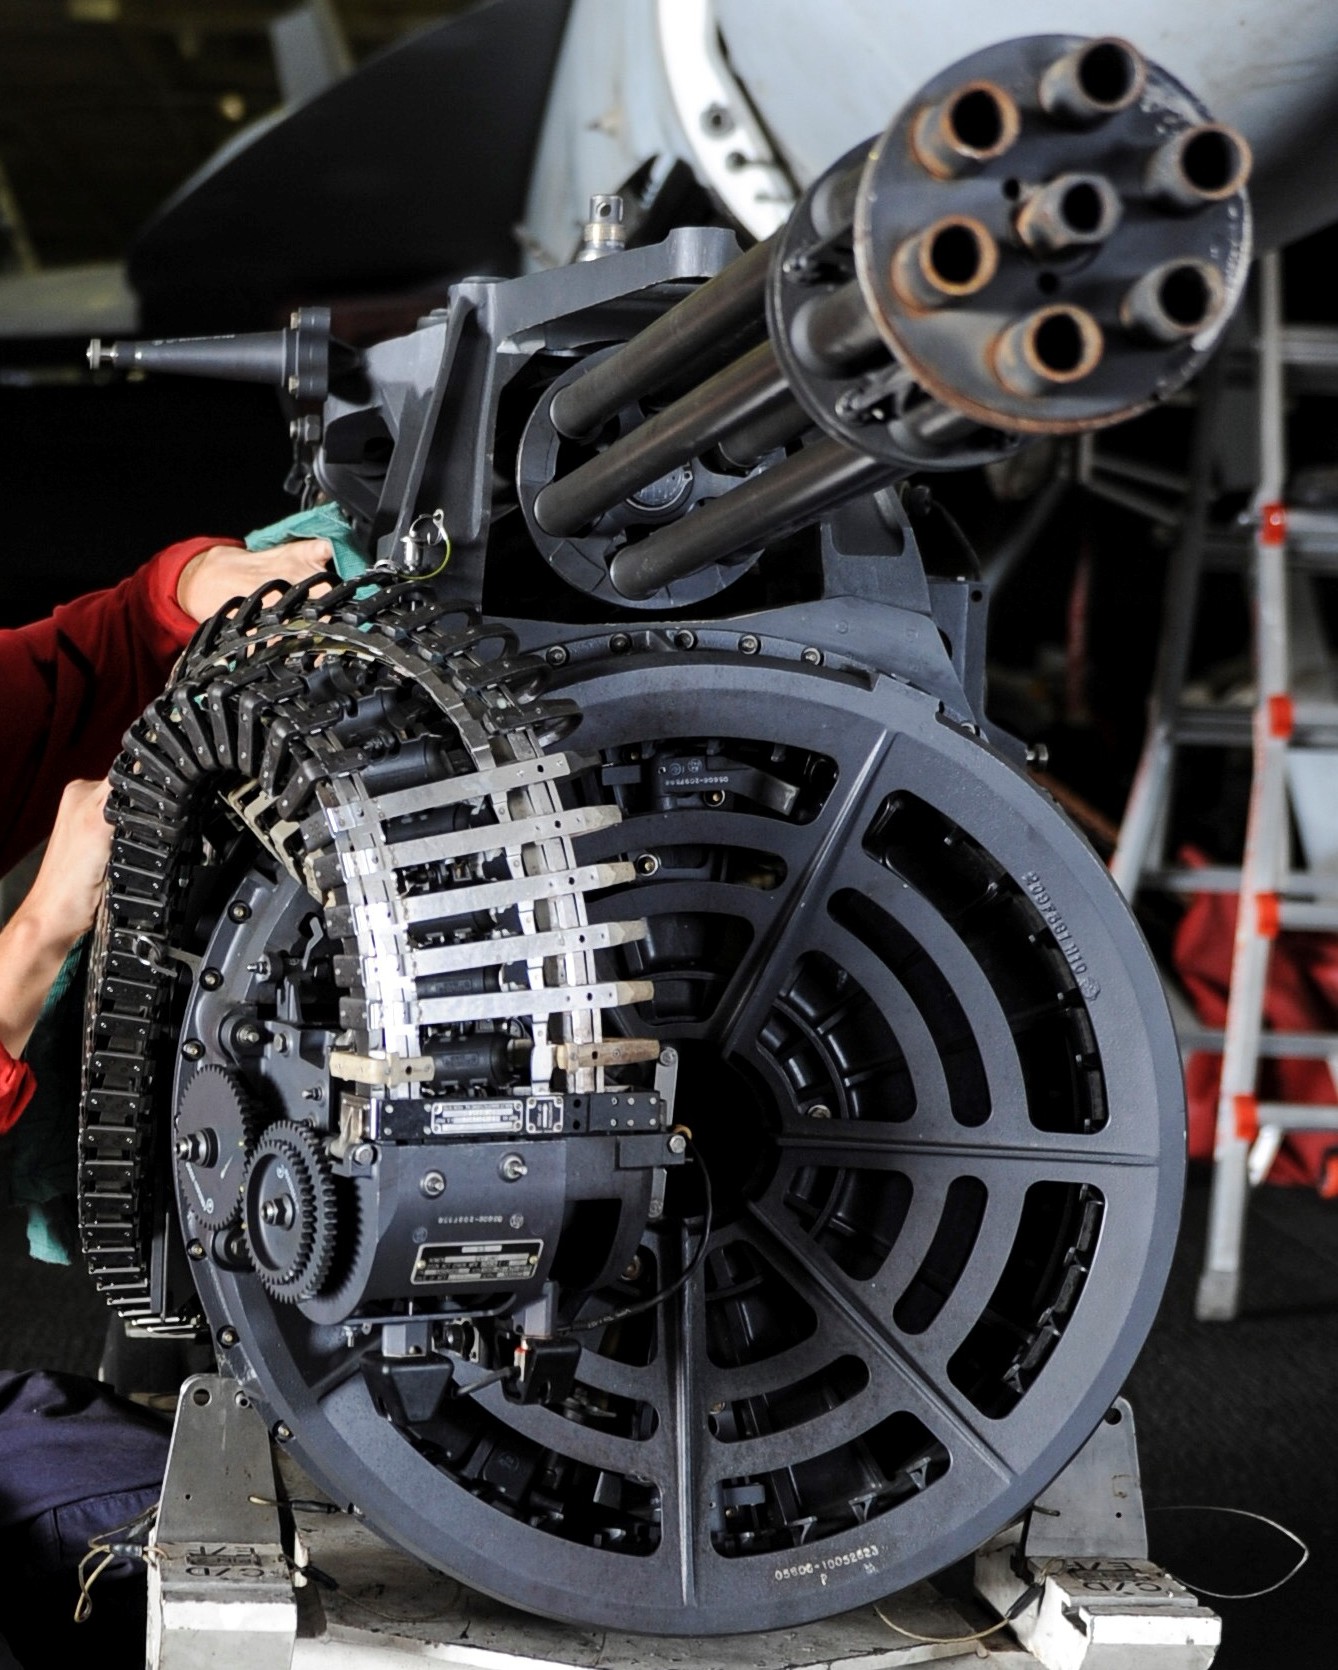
290, 1217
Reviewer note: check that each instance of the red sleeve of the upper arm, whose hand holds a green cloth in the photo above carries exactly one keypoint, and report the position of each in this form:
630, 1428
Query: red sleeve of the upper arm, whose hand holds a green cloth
74, 682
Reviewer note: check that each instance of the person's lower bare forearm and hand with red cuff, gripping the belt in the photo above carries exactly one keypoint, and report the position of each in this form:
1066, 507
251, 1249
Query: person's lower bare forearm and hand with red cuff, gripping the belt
56, 914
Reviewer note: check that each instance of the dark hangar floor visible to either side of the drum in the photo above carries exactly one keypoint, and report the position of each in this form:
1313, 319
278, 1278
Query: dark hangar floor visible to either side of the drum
1232, 1415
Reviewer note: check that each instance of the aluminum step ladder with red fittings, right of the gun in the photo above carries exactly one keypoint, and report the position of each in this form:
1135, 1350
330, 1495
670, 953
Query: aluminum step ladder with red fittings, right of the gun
1292, 731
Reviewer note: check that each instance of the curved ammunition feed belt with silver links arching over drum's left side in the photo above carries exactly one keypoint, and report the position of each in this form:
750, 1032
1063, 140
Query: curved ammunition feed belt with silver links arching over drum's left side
260, 722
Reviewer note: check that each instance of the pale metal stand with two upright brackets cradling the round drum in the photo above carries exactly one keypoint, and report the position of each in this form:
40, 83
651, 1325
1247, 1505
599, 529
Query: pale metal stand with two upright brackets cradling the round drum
230, 1591
